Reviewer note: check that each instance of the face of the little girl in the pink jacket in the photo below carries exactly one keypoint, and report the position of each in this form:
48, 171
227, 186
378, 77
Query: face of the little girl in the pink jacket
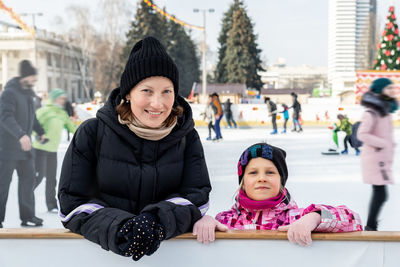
261, 179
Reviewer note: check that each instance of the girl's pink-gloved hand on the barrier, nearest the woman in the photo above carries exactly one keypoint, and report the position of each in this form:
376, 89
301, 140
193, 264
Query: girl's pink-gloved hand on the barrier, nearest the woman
205, 228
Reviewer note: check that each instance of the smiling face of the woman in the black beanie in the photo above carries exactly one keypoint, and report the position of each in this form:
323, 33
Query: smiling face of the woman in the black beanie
152, 100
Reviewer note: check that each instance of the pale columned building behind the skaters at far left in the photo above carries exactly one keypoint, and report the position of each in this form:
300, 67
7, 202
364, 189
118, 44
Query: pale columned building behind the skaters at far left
55, 60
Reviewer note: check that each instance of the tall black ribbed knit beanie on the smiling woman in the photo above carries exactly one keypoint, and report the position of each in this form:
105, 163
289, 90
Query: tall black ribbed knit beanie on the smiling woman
148, 58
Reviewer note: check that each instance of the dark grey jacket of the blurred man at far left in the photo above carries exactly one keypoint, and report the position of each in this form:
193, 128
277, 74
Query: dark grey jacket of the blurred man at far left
17, 118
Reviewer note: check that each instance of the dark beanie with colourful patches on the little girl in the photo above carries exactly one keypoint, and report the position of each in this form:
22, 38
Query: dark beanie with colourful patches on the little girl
263, 150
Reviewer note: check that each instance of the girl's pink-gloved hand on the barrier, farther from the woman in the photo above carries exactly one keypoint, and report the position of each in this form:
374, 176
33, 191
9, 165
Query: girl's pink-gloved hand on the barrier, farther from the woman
300, 231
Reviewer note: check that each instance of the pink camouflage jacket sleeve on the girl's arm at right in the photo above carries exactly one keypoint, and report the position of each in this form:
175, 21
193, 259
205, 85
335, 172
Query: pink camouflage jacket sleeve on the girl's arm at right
333, 219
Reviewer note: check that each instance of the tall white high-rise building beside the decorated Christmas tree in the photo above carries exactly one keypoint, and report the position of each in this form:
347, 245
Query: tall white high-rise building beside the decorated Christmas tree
351, 41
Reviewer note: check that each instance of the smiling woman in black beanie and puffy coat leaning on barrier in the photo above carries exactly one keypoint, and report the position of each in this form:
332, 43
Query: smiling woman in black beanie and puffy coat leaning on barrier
136, 174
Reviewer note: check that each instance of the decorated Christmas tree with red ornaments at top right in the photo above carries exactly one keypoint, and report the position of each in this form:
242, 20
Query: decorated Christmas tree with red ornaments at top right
389, 48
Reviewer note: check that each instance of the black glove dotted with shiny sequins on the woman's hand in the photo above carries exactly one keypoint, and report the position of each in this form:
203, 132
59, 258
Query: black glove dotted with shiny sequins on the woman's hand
141, 235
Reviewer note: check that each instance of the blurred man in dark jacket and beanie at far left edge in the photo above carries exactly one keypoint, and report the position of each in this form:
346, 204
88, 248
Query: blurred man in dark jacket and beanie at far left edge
17, 121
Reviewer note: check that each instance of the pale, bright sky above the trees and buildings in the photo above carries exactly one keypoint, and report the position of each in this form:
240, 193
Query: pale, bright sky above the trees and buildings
294, 29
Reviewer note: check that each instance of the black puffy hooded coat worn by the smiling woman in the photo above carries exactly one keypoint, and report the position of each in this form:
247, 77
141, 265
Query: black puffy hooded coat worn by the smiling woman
110, 175
